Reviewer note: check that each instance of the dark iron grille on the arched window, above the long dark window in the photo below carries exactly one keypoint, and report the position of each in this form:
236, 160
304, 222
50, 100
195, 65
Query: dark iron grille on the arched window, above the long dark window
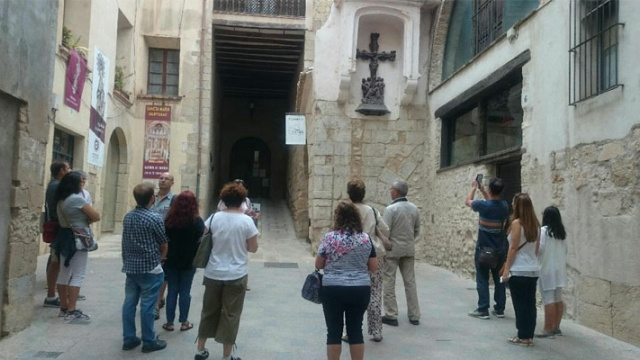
488, 23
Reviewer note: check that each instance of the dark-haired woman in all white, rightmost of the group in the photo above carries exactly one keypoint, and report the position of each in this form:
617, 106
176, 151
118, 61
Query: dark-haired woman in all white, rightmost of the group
553, 273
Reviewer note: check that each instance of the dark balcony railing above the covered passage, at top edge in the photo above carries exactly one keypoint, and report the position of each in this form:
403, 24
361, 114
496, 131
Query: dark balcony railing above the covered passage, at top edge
290, 8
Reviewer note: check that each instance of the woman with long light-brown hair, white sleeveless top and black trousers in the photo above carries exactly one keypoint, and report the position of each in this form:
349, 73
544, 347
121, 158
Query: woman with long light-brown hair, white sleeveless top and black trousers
521, 269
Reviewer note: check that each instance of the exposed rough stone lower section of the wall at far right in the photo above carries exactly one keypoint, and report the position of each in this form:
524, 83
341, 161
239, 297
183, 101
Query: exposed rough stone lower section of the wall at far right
597, 188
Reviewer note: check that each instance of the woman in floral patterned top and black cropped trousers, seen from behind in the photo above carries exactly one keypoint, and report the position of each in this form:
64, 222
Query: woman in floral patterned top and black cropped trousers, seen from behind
347, 255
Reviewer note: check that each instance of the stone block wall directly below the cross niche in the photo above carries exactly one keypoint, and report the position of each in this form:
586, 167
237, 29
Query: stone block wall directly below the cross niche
376, 151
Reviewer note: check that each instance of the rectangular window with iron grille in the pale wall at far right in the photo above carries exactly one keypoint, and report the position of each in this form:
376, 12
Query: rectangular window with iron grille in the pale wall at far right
593, 61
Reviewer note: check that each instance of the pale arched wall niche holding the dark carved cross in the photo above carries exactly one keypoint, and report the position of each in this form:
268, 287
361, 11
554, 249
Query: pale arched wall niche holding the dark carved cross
368, 54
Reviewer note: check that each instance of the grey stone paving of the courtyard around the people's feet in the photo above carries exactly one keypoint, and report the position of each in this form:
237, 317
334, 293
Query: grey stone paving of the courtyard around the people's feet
277, 324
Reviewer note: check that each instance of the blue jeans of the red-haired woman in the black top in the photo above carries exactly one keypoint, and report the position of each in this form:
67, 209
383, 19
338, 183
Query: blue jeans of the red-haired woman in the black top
179, 284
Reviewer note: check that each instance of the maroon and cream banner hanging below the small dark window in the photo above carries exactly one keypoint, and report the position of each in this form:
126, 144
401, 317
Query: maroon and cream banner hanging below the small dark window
156, 141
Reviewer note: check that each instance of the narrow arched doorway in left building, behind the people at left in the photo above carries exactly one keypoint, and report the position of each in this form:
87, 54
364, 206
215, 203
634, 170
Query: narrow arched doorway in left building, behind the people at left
115, 183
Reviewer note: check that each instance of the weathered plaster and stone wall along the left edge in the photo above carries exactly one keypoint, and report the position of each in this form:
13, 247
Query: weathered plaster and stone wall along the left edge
26, 75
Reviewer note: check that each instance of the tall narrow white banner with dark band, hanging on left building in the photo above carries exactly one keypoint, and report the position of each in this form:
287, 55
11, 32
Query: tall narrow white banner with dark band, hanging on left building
98, 117
